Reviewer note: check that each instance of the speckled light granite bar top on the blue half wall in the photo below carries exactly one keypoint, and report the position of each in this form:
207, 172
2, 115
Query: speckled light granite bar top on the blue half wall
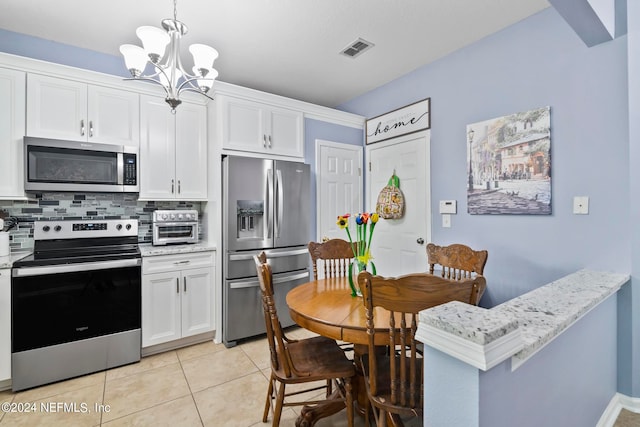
534, 318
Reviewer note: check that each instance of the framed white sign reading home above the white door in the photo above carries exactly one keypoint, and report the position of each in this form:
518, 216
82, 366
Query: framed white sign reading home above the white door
412, 118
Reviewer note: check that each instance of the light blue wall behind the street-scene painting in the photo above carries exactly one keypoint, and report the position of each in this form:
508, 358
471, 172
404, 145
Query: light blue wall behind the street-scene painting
538, 62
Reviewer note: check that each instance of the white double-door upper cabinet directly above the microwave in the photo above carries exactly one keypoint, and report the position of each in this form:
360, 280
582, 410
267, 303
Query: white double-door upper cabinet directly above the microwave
65, 109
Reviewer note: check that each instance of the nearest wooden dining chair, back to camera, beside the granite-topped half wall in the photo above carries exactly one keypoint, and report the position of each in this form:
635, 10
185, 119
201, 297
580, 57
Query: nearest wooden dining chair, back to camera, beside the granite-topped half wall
394, 379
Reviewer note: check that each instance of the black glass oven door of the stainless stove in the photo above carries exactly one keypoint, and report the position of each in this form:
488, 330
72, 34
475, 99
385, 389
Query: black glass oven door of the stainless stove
64, 303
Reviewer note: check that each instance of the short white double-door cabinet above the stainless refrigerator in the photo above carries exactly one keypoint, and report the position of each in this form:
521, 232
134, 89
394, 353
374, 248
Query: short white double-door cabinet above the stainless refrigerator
260, 128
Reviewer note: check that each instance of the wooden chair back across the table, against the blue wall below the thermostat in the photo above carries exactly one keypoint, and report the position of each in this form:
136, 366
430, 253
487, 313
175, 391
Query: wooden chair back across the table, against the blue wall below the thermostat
456, 261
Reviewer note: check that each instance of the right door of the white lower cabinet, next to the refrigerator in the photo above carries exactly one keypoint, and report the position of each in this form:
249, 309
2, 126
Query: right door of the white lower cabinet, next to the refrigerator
197, 301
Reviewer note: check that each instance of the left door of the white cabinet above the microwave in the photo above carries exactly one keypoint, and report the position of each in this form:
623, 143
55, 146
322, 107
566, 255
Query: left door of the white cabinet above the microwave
56, 108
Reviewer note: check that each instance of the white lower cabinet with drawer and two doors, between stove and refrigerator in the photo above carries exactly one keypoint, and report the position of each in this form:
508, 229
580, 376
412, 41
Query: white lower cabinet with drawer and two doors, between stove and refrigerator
177, 296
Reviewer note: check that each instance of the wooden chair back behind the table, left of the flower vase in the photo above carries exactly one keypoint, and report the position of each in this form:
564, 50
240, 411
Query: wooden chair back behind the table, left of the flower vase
336, 256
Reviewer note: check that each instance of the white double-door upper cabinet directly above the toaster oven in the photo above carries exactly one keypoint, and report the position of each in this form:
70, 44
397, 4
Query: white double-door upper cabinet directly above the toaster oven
173, 151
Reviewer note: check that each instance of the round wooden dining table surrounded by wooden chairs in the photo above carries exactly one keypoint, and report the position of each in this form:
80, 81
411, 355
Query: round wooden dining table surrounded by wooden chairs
326, 307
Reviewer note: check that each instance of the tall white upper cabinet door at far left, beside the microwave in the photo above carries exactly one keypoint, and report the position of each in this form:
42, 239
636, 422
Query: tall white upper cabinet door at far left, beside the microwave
12, 123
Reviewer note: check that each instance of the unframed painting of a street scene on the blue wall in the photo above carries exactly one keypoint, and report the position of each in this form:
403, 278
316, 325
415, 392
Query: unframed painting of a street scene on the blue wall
509, 164
